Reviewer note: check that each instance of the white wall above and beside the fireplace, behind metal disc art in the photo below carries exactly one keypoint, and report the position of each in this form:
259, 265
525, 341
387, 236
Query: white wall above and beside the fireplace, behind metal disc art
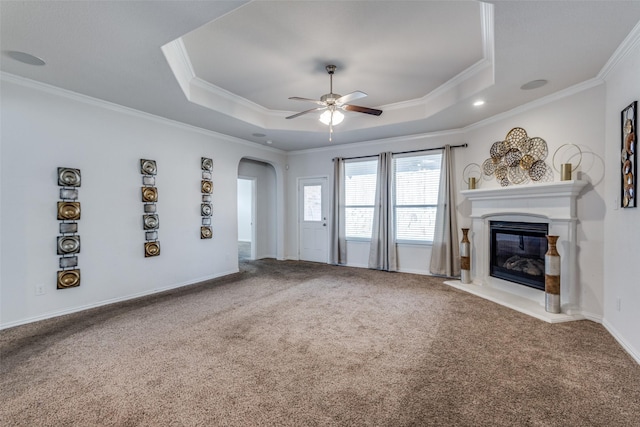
571, 119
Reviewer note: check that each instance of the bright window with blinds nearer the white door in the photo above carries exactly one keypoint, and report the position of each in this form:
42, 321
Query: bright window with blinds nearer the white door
360, 193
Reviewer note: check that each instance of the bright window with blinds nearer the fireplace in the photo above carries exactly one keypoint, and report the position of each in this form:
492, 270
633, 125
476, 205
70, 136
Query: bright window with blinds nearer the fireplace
417, 179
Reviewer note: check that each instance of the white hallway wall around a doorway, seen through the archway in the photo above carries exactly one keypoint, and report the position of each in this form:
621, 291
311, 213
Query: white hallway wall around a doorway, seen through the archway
266, 210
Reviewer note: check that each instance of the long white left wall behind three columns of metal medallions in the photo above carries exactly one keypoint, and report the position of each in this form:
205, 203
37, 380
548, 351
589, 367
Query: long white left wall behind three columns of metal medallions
44, 128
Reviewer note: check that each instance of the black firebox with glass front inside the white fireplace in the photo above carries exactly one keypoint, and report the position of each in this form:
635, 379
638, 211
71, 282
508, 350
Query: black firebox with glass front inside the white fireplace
517, 252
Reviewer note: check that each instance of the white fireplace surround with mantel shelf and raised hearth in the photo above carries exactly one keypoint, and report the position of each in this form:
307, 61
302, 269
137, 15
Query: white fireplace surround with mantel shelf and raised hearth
551, 203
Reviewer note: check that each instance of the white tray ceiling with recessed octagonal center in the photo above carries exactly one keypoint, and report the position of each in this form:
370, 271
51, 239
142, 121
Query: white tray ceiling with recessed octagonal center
230, 66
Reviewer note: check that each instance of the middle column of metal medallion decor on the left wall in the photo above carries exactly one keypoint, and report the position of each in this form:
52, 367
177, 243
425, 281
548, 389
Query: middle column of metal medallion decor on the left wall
150, 220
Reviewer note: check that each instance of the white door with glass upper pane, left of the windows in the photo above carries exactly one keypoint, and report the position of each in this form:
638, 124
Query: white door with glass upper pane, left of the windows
313, 219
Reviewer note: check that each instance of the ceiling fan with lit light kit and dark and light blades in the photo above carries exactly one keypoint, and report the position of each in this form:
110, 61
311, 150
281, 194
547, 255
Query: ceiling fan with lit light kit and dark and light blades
333, 102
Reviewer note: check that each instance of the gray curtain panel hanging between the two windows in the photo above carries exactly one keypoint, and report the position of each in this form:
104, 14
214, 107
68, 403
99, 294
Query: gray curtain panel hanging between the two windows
382, 255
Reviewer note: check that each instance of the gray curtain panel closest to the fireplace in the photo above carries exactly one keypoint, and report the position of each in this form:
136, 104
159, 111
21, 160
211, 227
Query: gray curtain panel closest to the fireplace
445, 253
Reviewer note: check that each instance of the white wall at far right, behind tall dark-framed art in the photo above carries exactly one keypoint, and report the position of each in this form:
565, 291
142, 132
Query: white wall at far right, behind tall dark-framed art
621, 226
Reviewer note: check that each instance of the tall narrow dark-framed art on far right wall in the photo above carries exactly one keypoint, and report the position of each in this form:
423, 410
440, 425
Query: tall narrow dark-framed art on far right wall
629, 156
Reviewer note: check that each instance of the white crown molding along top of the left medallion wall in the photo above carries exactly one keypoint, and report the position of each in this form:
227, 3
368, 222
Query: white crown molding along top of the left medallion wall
85, 99
